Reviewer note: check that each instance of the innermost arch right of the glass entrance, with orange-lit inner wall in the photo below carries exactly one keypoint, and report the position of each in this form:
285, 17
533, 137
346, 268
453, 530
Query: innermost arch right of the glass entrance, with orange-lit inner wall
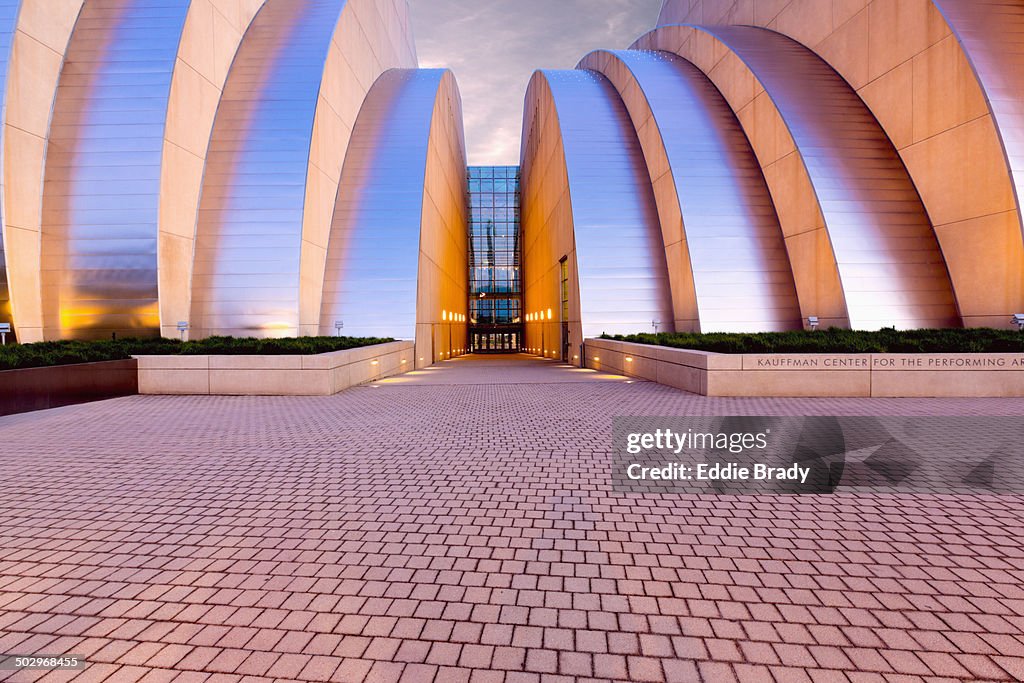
587, 198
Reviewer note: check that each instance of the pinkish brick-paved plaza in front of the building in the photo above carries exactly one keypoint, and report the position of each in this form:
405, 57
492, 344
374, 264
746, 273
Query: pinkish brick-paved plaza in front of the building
459, 525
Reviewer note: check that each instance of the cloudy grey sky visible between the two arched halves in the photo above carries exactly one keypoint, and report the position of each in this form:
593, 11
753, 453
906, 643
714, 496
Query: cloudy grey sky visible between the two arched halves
494, 47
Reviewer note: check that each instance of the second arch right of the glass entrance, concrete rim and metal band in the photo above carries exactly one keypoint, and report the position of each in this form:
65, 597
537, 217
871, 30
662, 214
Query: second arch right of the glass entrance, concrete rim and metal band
728, 262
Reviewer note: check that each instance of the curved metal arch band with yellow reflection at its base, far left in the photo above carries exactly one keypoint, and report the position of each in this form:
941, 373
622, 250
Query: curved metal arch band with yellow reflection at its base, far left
102, 189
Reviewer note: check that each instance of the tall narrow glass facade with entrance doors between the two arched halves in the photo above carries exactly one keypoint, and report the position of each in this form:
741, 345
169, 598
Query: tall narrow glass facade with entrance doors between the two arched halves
495, 287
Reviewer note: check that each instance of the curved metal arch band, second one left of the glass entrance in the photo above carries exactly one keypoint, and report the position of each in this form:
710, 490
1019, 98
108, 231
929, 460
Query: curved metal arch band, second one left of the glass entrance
248, 245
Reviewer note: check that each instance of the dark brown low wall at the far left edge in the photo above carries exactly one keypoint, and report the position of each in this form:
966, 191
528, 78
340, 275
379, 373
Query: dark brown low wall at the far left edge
40, 389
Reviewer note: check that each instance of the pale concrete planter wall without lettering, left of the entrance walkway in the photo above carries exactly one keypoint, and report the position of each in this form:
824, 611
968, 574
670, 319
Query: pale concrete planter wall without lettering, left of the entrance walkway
320, 375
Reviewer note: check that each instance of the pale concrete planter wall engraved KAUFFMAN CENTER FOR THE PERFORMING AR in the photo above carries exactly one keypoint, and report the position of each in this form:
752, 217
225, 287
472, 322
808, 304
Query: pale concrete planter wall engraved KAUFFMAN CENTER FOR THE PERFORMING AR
923, 375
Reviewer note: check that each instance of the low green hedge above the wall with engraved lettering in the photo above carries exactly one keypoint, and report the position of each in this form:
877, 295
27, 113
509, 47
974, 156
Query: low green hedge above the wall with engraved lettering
974, 340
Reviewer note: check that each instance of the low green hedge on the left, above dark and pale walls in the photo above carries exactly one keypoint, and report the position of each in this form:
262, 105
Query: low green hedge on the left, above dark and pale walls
42, 355
